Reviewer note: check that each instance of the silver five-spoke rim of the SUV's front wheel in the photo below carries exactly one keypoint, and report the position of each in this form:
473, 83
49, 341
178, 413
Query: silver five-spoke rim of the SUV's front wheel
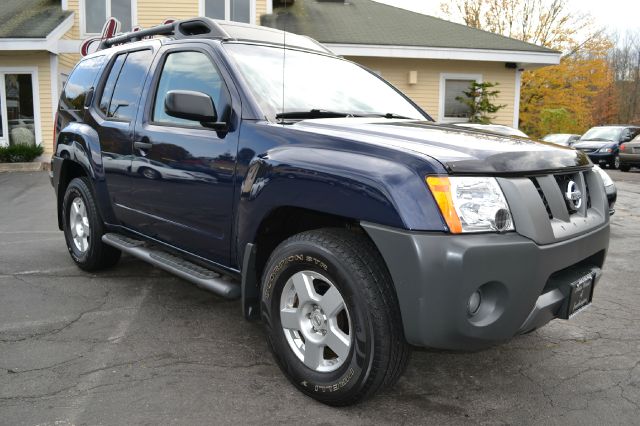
315, 321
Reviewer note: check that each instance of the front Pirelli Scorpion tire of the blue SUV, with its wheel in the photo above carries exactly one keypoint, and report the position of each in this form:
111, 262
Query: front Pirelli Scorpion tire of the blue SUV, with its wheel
342, 260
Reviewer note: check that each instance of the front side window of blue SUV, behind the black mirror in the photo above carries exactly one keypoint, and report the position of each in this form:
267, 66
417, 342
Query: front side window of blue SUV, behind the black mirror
188, 71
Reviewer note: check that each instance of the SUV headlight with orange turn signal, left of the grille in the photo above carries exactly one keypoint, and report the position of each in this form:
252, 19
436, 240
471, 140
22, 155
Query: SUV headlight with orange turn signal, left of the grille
471, 204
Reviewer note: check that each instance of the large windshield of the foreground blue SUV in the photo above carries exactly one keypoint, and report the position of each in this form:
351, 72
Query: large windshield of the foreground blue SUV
313, 82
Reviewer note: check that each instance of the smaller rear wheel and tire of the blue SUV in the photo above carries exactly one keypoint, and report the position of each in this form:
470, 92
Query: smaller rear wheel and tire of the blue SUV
84, 242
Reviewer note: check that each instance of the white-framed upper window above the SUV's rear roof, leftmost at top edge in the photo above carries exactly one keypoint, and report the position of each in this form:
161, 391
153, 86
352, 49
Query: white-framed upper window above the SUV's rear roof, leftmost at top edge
96, 13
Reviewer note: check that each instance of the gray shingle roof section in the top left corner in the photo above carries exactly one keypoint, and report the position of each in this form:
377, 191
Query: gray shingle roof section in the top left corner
30, 18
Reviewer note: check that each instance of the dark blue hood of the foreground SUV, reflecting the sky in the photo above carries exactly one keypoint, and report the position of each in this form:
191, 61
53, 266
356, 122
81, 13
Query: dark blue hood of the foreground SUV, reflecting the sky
460, 150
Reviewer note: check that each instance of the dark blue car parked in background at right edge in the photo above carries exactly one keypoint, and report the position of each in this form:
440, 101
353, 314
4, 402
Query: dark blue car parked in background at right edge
602, 143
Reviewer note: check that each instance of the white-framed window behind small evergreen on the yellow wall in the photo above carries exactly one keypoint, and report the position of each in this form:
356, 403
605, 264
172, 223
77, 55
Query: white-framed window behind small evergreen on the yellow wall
453, 86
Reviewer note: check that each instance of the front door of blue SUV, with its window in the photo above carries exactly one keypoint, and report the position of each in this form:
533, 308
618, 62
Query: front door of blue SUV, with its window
182, 172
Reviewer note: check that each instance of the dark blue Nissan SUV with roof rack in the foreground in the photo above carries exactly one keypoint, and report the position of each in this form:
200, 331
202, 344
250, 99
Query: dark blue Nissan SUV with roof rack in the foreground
336, 210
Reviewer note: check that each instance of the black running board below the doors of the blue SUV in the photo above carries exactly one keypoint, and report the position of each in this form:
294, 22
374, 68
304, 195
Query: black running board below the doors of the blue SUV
202, 277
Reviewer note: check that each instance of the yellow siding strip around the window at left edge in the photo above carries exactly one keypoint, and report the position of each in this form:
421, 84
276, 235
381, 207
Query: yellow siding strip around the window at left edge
41, 61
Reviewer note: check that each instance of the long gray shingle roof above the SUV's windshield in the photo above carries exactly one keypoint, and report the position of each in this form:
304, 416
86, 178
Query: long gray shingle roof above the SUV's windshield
373, 23
